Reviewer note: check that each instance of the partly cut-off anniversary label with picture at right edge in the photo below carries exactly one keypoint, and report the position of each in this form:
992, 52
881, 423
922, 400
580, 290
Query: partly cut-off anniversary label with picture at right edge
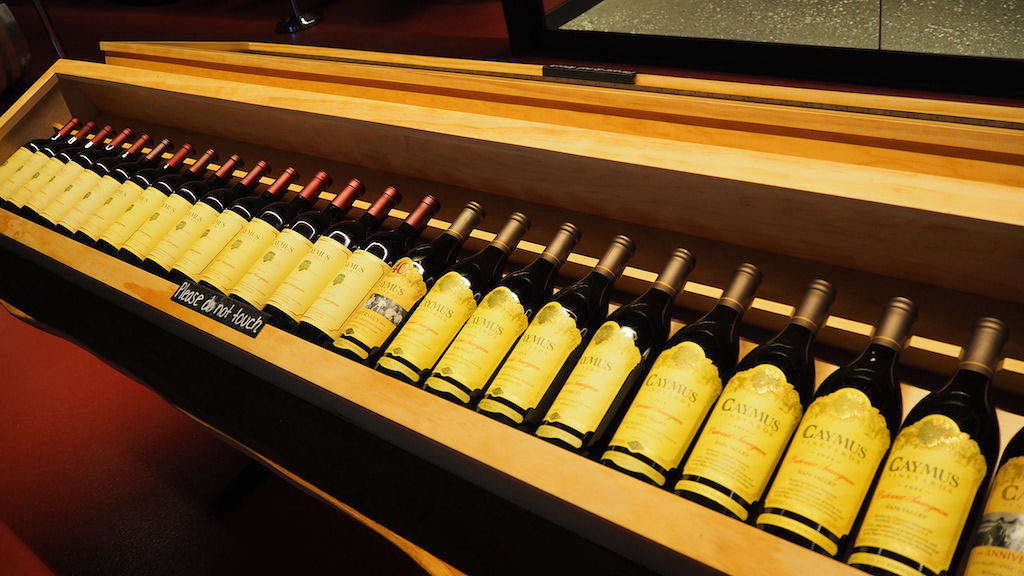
999, 544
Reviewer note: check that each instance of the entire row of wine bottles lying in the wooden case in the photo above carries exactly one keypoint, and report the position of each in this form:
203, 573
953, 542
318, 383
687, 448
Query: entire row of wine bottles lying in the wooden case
831, 470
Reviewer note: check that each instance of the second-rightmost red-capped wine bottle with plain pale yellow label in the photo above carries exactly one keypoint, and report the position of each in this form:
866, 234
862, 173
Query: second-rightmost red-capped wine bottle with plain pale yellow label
324, 262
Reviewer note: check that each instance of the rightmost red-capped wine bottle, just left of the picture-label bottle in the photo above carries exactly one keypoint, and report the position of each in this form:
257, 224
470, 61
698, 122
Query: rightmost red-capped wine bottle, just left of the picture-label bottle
322, 323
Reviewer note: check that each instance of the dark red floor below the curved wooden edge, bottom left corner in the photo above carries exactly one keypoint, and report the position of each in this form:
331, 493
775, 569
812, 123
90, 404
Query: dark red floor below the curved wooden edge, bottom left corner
102, 477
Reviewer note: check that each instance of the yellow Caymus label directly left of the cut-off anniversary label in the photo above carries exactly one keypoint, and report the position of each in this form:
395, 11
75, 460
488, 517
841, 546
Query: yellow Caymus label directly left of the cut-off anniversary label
924, 496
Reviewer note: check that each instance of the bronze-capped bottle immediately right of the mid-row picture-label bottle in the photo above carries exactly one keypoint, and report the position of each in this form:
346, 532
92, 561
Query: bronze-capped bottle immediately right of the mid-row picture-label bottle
449, 305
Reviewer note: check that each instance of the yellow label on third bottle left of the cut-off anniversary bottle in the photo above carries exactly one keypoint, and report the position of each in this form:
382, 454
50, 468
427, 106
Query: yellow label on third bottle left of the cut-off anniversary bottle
746, 435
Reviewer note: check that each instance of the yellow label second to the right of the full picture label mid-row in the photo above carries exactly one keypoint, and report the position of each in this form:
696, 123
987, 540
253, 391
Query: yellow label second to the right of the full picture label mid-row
483, 343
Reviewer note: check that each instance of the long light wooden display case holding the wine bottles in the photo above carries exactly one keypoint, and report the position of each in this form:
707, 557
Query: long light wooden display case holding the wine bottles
883, 196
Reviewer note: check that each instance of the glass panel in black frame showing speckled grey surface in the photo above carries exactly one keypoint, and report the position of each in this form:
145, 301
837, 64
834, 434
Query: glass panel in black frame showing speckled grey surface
982, 28
